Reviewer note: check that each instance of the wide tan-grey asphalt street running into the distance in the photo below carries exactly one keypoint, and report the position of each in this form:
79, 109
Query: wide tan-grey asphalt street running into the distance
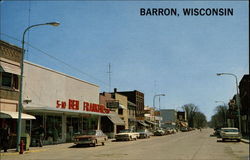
183, 145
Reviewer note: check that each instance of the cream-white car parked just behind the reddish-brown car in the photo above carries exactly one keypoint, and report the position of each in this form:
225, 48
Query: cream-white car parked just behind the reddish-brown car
127, 134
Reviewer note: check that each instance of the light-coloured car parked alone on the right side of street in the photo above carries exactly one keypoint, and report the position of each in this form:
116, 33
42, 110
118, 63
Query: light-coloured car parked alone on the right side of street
230, 133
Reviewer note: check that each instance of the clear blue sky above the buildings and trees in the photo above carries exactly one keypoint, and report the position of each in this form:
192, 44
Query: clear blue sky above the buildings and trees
178, 56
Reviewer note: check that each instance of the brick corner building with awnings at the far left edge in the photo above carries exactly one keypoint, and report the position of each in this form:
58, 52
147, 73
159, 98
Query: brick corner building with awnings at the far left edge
10, 71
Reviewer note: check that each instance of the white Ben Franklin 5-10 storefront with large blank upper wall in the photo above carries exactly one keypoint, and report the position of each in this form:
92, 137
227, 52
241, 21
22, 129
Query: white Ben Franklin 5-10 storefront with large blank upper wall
62, 104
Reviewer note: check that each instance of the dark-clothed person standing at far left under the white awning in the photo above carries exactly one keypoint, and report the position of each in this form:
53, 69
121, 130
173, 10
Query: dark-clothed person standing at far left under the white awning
5, 135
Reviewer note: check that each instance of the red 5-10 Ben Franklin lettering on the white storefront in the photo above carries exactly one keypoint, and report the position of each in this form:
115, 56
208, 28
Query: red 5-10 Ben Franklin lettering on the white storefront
85, 106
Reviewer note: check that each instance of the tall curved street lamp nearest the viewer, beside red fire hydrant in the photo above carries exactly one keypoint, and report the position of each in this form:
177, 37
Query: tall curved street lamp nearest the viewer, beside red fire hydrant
20, 106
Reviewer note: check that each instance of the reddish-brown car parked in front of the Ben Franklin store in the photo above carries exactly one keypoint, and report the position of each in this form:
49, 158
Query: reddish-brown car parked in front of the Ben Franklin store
91, 137
